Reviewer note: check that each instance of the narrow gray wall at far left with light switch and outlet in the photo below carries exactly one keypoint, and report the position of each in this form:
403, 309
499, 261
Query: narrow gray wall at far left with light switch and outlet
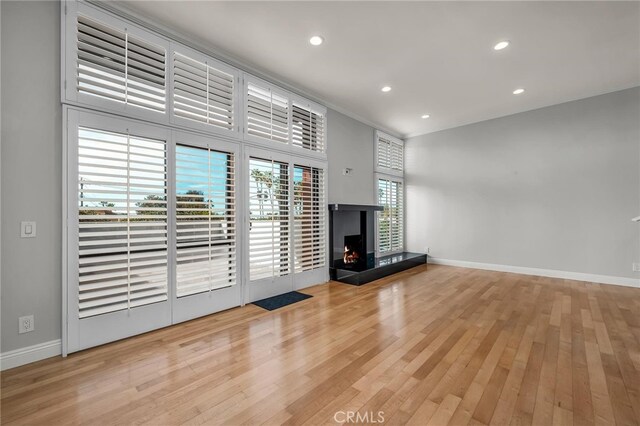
31, 170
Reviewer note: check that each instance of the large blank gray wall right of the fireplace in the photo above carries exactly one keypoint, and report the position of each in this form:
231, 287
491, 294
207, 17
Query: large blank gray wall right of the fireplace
553, 188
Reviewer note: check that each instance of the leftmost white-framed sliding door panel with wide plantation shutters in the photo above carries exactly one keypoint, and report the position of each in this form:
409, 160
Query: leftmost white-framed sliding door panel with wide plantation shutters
118, 230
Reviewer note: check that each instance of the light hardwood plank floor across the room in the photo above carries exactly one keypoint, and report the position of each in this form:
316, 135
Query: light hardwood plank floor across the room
438, 346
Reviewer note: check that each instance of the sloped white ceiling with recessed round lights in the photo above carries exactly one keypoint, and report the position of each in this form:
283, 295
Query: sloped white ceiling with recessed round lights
437, 56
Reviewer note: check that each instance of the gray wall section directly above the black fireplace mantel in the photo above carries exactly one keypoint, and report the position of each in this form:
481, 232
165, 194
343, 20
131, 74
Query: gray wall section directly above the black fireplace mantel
350, 145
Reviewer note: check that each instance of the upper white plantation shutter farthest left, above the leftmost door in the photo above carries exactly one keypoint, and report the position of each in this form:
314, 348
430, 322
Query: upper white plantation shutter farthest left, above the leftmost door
119, 66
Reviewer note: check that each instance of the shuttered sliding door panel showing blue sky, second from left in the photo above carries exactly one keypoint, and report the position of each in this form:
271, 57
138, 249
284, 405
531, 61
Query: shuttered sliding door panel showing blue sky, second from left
206, 276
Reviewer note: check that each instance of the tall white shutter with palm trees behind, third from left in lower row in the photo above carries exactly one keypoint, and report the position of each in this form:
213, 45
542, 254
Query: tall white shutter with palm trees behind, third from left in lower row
269, 206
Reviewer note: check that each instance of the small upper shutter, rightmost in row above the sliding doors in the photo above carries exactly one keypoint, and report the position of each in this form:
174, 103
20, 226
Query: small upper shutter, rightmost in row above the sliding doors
307, 128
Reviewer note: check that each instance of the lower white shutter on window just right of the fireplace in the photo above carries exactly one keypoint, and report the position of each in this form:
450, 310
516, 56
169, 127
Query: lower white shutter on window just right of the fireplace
391, 220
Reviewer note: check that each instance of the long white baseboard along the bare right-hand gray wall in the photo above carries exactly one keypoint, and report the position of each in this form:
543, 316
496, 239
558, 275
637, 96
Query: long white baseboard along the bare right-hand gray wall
578, 276
